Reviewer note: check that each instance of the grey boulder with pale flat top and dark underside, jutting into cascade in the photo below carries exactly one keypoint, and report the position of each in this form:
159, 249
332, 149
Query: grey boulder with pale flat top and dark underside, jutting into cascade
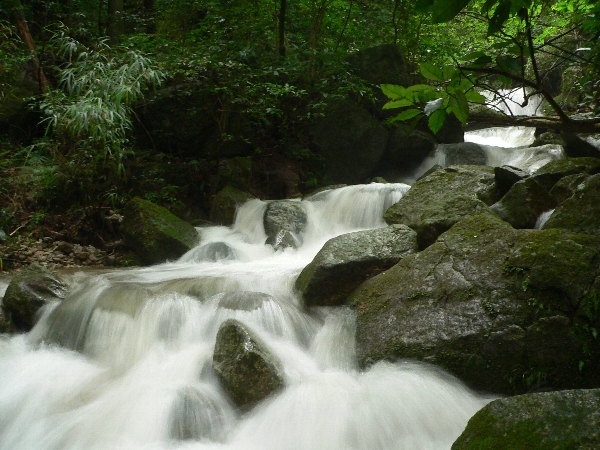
346, 261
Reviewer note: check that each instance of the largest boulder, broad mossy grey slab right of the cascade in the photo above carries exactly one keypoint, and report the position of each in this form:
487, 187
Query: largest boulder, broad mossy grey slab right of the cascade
505, 310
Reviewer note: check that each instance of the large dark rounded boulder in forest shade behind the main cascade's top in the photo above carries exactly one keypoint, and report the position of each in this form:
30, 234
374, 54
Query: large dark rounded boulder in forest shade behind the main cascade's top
351, 141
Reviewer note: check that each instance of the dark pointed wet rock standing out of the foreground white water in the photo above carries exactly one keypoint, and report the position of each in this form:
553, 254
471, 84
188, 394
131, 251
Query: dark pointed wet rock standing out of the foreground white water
247, 370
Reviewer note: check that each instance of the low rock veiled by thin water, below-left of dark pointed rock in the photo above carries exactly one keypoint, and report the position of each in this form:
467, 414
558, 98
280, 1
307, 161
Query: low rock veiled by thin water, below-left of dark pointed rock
197, 416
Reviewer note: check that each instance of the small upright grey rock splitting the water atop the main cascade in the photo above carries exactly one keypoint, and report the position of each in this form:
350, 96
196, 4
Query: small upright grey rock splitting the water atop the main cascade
283, 222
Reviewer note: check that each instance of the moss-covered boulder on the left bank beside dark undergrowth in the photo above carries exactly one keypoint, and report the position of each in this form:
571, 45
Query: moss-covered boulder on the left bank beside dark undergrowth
154, 234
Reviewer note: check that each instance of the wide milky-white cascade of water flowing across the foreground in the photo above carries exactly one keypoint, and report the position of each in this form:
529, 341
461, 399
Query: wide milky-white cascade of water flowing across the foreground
125, 361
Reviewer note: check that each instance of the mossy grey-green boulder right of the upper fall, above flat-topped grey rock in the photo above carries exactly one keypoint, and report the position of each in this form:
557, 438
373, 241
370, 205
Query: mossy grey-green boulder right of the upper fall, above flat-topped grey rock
435, 203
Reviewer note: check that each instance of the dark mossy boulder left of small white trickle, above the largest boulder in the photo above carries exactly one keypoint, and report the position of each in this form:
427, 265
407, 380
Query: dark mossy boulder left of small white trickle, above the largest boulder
523, 203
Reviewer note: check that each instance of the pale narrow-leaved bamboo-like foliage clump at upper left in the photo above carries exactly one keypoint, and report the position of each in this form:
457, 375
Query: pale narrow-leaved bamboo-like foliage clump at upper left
98, 87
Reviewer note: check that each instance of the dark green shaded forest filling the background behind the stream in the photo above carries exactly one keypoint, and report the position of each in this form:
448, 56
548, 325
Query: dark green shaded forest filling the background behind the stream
104, 101
